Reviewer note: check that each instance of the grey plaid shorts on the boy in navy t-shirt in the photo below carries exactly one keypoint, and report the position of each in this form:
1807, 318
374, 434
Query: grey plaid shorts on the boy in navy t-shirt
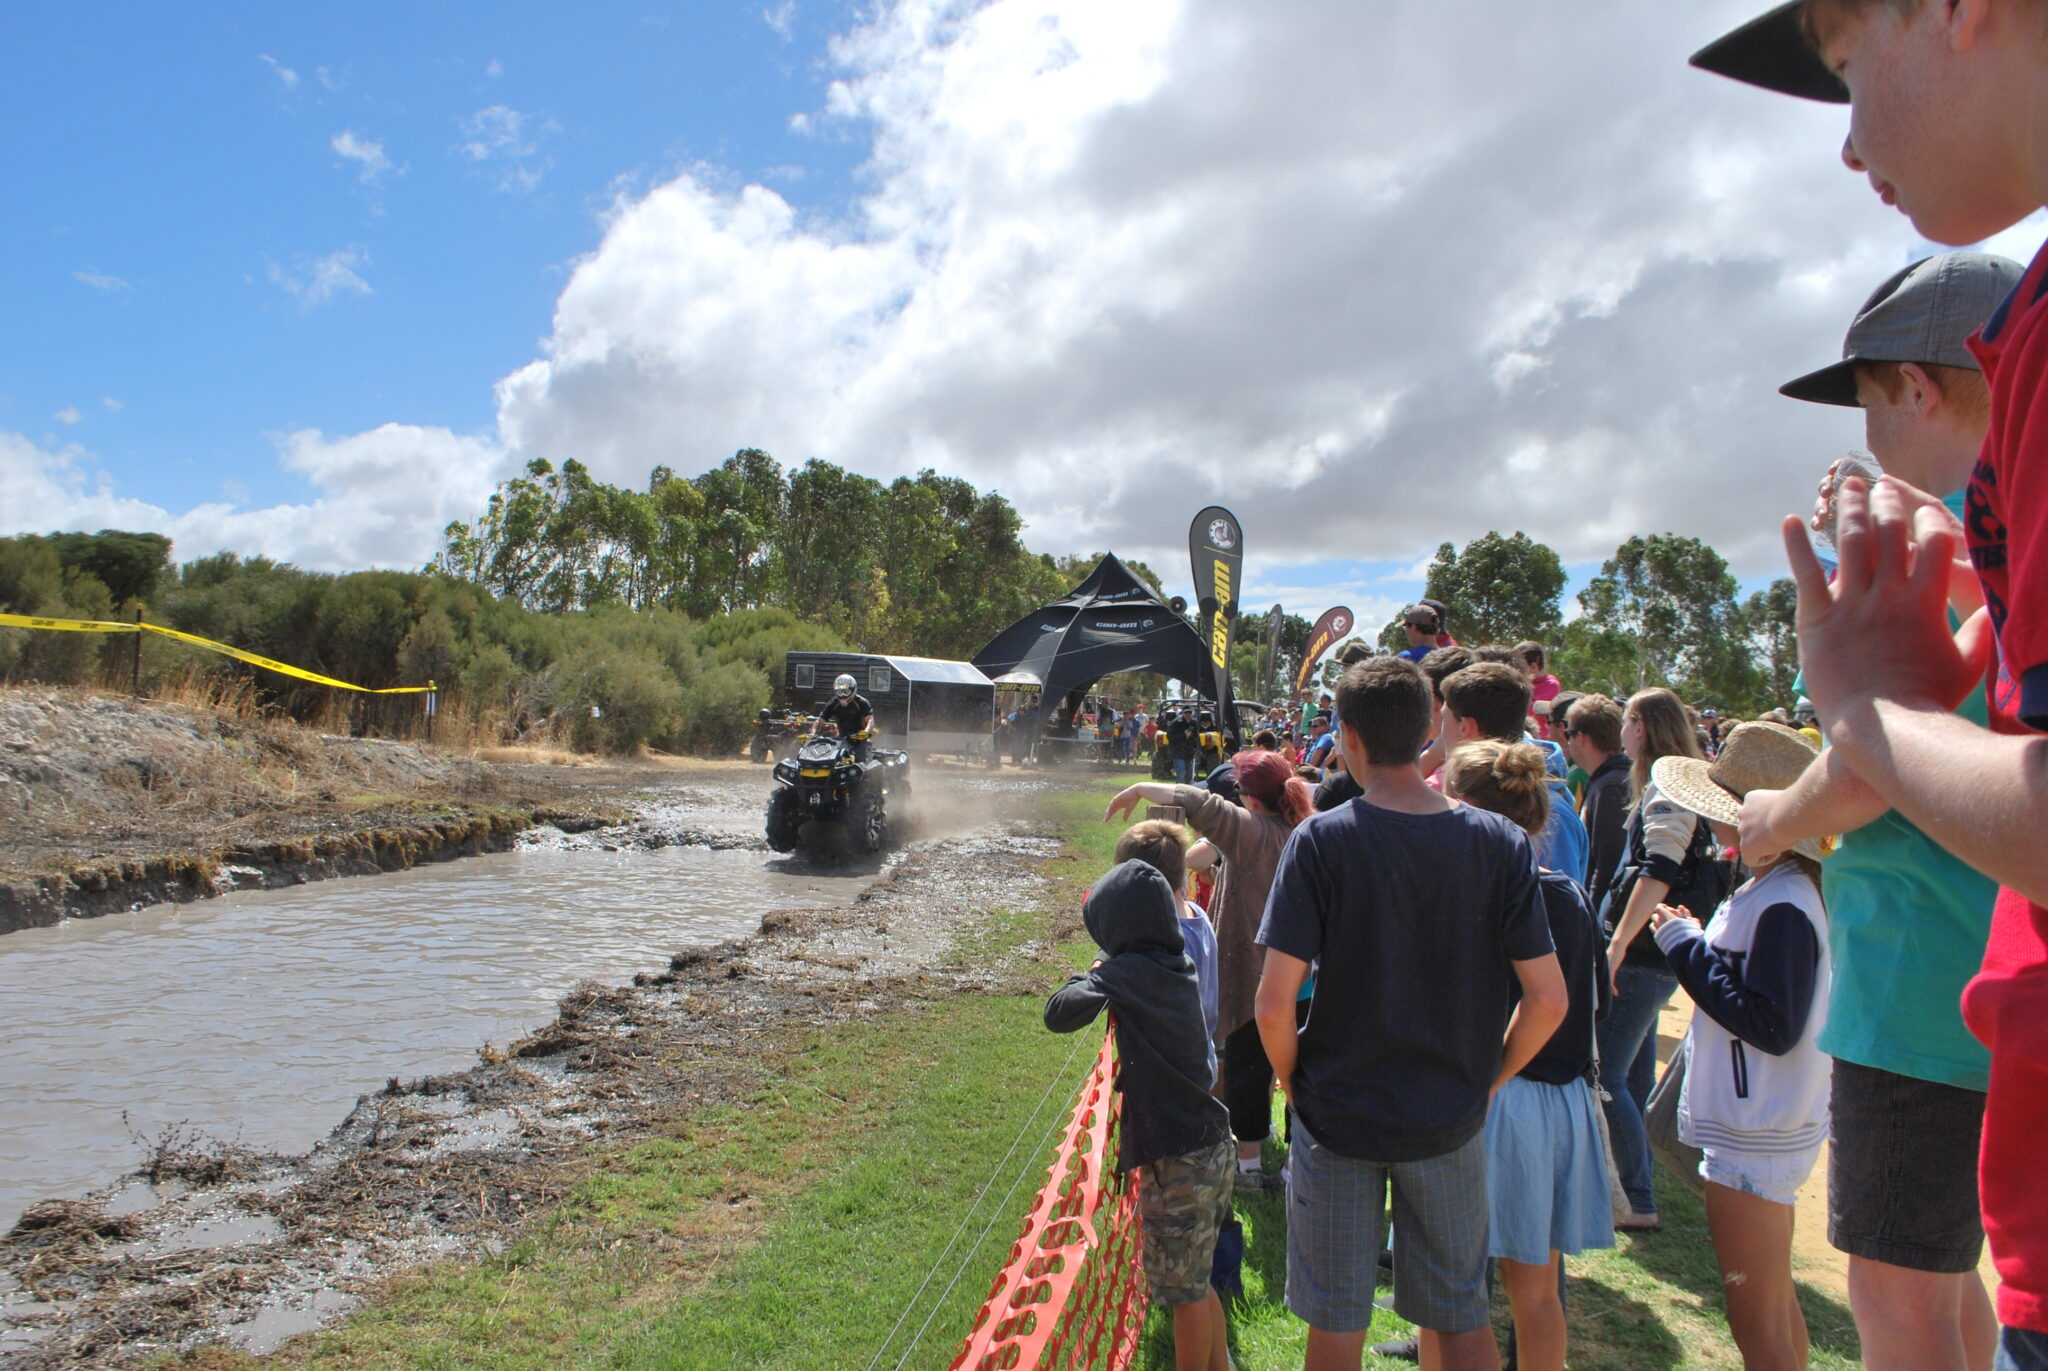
1336, 1218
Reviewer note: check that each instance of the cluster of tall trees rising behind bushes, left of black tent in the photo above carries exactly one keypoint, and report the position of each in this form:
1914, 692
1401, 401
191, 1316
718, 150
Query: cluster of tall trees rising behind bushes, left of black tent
925, 565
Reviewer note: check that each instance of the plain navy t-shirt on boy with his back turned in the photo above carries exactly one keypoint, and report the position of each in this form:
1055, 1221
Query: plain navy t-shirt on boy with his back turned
1412, 921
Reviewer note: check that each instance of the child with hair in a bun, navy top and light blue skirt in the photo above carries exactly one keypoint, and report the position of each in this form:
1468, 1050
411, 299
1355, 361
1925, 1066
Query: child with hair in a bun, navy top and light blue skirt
1547, 1169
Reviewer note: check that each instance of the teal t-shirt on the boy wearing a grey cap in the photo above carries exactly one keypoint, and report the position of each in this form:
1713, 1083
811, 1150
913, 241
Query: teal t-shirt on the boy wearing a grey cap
1906, 931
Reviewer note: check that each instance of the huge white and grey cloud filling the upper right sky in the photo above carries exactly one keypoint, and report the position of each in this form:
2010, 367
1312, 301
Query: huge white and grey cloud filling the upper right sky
1336, 267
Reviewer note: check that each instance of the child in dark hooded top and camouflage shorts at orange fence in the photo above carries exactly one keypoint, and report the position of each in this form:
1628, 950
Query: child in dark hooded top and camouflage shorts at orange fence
1175, 1132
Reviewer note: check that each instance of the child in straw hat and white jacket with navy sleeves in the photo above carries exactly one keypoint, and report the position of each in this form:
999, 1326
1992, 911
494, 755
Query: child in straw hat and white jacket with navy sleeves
1756, 1079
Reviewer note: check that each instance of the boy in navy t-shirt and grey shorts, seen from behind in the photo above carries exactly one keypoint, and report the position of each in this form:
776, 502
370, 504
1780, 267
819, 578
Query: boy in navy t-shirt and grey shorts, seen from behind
1420, 913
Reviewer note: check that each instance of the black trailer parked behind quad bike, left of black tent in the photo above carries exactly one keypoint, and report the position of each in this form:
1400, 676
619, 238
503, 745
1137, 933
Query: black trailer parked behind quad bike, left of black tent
921, 704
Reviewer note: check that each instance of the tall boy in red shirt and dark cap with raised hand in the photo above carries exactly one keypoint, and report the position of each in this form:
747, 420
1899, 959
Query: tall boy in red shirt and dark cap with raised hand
1949, 122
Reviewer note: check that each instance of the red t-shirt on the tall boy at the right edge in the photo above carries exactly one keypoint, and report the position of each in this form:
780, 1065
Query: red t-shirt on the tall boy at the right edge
2006, 1005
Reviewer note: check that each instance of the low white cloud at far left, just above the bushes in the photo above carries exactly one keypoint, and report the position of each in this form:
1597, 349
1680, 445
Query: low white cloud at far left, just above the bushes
384, 499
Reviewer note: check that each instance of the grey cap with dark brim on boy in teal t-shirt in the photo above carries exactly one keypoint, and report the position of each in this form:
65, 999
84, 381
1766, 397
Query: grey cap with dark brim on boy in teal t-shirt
1922, 315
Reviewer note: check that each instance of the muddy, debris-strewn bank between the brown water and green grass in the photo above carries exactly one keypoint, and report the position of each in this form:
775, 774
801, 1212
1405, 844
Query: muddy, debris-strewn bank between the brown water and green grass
214, 1243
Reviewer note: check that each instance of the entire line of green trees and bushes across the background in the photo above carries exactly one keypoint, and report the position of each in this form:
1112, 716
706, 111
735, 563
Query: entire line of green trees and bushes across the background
609, 618
